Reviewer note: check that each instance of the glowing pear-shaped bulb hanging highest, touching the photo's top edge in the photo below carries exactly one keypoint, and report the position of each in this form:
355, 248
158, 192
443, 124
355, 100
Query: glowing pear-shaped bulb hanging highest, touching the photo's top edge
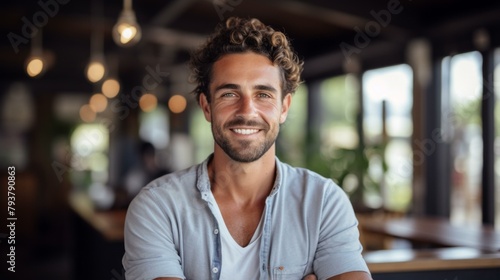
126, 31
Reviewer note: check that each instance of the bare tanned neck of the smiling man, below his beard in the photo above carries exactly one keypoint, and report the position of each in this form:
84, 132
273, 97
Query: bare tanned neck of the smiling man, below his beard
243, 183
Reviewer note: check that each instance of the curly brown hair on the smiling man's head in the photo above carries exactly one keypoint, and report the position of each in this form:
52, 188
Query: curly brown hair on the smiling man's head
239, 35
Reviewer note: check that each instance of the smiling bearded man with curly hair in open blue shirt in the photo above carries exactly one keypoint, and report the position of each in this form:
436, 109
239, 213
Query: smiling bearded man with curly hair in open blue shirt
243, 214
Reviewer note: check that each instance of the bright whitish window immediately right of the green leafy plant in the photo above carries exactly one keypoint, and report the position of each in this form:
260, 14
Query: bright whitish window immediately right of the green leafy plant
387, 124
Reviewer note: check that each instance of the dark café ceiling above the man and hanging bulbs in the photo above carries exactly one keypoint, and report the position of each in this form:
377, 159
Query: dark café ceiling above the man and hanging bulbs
318, 29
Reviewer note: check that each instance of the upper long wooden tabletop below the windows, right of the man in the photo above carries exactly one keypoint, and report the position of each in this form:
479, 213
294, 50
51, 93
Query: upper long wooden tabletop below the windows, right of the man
435, 231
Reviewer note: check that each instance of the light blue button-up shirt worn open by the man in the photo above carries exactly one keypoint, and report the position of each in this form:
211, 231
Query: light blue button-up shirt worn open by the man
309, 227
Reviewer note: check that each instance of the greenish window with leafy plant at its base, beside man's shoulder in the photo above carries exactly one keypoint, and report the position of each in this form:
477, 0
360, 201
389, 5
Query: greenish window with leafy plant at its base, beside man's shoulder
339, 107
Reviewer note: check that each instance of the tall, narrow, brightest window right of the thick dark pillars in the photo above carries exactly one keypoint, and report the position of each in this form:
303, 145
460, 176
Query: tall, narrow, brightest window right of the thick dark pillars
462, 90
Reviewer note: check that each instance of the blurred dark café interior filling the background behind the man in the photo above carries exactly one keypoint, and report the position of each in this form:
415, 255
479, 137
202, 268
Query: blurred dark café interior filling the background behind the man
400, 106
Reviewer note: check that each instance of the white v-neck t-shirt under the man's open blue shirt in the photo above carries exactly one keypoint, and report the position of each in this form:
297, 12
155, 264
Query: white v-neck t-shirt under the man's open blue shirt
237, 262
